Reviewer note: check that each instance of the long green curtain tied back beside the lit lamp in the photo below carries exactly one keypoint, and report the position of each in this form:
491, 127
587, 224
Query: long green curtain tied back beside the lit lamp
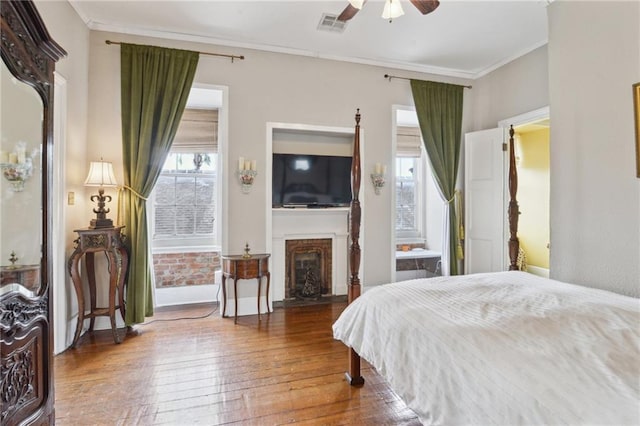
155, 84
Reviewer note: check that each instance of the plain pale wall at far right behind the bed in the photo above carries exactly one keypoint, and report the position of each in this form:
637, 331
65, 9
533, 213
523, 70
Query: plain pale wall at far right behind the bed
594, 58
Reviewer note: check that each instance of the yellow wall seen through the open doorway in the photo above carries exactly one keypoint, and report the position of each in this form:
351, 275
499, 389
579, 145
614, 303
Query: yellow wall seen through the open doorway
532, 149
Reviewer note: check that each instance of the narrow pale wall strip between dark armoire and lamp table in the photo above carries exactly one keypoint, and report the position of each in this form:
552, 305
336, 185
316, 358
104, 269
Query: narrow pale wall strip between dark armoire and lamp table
70, 32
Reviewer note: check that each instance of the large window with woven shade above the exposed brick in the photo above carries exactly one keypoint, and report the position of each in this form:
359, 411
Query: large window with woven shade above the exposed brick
185, 198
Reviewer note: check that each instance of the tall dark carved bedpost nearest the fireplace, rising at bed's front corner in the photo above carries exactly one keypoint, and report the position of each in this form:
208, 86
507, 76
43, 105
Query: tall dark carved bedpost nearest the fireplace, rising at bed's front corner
353, 375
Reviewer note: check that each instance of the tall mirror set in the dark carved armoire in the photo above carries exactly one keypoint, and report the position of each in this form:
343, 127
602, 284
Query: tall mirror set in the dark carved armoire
21, 112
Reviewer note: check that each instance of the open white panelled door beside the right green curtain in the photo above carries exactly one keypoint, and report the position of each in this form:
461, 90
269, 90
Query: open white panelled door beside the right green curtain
485, 166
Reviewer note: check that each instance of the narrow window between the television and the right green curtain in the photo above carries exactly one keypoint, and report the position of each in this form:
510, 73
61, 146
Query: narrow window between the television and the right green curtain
408, 180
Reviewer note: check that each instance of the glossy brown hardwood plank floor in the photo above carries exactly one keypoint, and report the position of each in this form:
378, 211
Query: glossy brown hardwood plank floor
284, 369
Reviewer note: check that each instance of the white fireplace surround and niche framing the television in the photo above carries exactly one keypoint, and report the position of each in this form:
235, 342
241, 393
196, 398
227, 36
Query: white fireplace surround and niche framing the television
285, 224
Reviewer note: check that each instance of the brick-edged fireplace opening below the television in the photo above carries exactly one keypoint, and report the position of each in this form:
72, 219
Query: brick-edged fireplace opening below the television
308, 268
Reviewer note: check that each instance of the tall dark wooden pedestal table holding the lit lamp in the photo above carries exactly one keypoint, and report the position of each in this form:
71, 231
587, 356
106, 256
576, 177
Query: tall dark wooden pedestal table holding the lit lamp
89, 242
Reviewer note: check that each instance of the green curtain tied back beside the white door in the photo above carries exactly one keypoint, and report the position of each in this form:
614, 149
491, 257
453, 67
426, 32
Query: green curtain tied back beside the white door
439, 110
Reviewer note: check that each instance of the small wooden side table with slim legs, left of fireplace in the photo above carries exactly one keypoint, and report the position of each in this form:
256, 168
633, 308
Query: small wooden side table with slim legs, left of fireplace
239, 267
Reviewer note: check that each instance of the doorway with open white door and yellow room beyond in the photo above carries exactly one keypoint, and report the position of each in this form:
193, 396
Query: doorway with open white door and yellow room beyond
487, 195
